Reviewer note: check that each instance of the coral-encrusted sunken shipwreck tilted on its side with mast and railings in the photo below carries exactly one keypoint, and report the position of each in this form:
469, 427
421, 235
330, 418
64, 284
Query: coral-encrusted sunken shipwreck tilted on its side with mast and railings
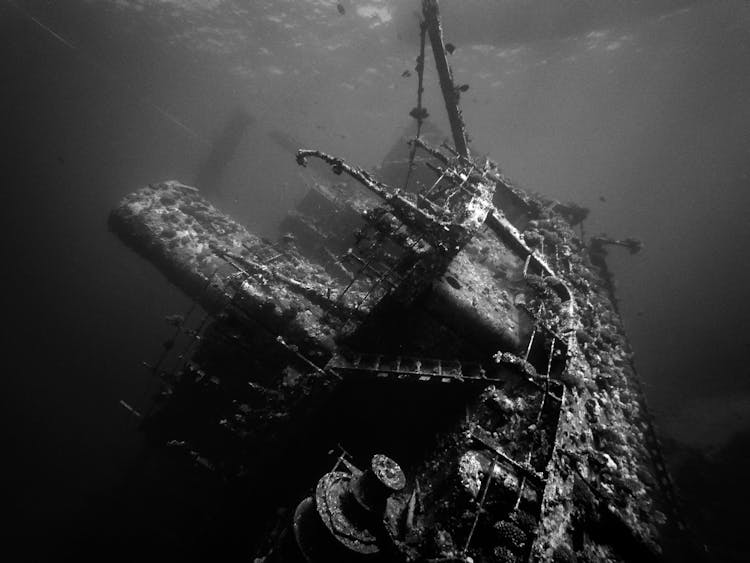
430, 368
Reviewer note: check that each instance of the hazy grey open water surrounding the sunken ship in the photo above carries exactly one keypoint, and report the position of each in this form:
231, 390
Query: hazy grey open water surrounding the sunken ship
637, 110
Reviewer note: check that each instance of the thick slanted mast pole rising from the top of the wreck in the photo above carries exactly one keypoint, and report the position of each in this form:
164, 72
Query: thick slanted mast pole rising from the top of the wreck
431, 14
